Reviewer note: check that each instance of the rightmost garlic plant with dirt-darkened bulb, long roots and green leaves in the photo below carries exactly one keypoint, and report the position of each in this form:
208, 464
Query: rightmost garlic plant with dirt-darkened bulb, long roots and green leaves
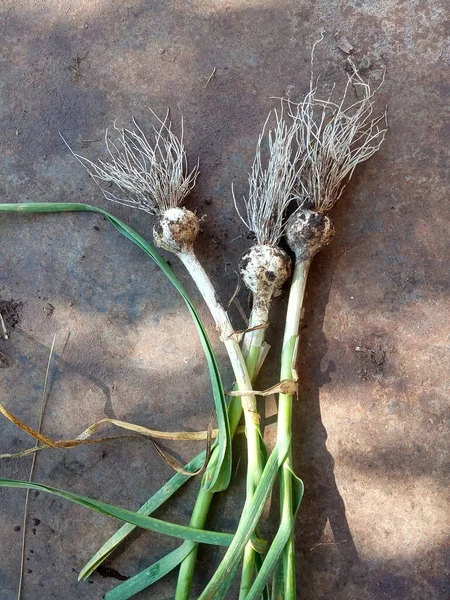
333, 138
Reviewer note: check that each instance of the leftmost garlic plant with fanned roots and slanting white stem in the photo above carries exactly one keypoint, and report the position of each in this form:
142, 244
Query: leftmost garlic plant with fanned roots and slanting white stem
152, 177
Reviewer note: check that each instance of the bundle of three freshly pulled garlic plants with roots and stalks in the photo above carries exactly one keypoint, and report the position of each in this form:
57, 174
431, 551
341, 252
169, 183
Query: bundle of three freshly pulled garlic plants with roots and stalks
309, 162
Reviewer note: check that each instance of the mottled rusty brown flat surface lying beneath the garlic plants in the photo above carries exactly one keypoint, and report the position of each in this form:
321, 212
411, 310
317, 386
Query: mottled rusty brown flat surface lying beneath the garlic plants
372, 420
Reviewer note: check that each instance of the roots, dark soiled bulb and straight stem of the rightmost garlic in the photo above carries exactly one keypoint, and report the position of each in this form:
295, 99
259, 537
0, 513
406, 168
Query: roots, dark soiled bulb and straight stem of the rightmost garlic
334, 139
